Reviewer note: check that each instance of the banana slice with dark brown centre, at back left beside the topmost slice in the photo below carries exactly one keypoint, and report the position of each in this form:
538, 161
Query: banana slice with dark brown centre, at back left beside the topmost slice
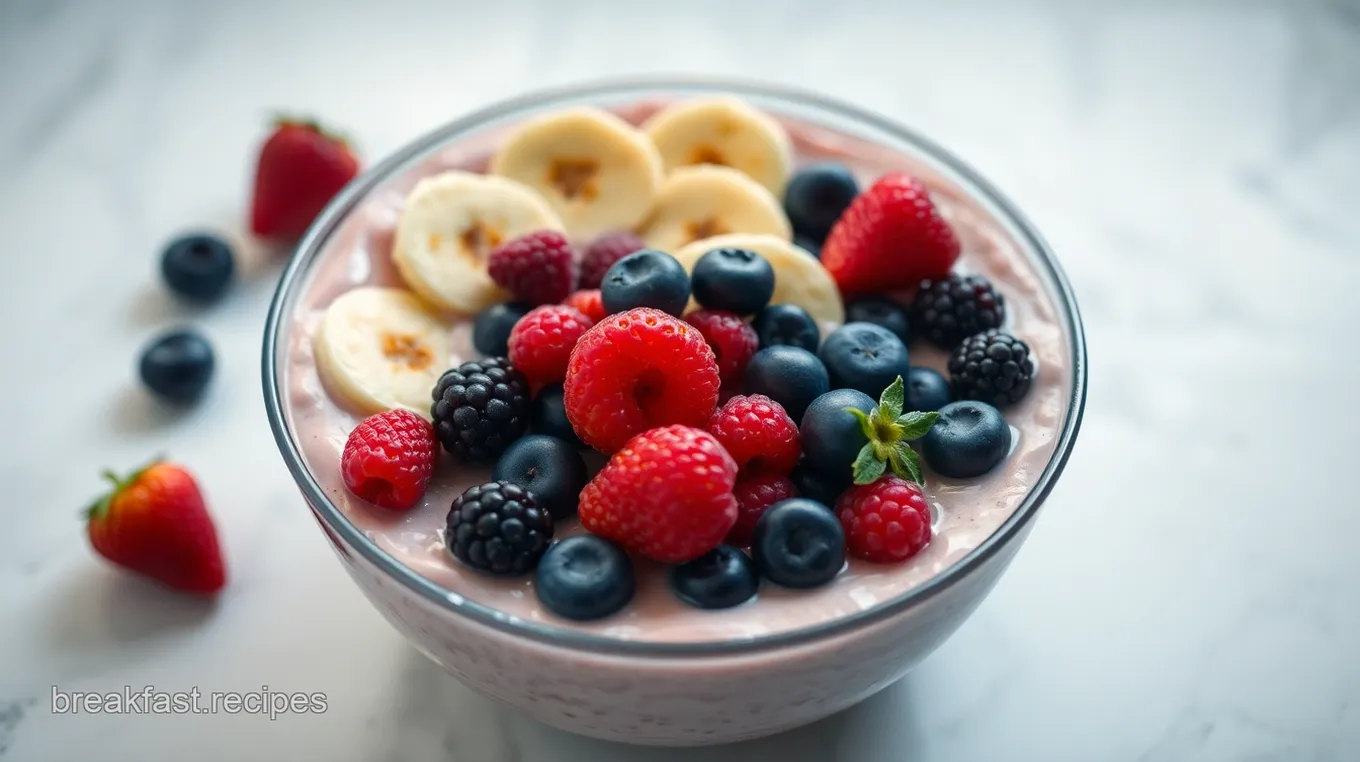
598, 171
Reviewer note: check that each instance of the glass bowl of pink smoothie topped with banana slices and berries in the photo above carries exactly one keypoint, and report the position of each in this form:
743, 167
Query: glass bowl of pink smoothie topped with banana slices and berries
651, 516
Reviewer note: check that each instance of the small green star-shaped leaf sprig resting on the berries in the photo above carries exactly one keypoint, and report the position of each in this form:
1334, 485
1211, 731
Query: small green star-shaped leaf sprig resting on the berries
890, 431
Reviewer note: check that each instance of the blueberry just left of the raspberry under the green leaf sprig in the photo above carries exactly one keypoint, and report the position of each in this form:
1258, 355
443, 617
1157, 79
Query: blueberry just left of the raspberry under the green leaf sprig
799, 544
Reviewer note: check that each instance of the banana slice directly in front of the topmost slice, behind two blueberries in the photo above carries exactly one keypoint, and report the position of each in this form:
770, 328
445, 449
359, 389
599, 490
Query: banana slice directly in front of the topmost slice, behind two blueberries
708, 201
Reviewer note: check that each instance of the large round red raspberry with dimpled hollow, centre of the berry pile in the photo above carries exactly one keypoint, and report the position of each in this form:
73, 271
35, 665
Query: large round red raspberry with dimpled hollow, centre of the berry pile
637, 371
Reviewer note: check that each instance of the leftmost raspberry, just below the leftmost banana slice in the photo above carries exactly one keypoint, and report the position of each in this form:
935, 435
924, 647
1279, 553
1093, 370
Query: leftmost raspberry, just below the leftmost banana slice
390, 458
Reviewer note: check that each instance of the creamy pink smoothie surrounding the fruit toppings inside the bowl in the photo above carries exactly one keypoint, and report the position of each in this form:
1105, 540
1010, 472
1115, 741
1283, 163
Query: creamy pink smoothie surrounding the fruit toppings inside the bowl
966, 512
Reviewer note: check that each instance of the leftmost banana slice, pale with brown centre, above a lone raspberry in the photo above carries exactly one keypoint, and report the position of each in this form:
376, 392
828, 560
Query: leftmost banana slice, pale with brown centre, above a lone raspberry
381, 349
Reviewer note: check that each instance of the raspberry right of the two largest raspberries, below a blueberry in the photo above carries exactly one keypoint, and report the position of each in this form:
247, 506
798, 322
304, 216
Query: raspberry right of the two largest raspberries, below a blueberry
758, 435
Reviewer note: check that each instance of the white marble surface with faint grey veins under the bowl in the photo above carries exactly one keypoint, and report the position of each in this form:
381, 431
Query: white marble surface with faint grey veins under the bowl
1192, 590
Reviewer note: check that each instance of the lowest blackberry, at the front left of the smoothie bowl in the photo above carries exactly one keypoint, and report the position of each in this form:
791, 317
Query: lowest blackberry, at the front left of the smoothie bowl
500, 529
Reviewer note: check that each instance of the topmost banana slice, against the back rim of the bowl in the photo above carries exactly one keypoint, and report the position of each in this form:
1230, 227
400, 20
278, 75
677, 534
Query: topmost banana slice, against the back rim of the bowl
724, 131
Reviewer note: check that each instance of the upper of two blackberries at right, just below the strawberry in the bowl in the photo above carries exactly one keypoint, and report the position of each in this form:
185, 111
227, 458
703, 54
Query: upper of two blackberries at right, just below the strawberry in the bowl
950, 310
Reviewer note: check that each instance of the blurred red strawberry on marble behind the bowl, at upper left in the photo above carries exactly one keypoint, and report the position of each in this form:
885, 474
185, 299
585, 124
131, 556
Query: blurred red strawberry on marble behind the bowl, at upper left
301, 168
